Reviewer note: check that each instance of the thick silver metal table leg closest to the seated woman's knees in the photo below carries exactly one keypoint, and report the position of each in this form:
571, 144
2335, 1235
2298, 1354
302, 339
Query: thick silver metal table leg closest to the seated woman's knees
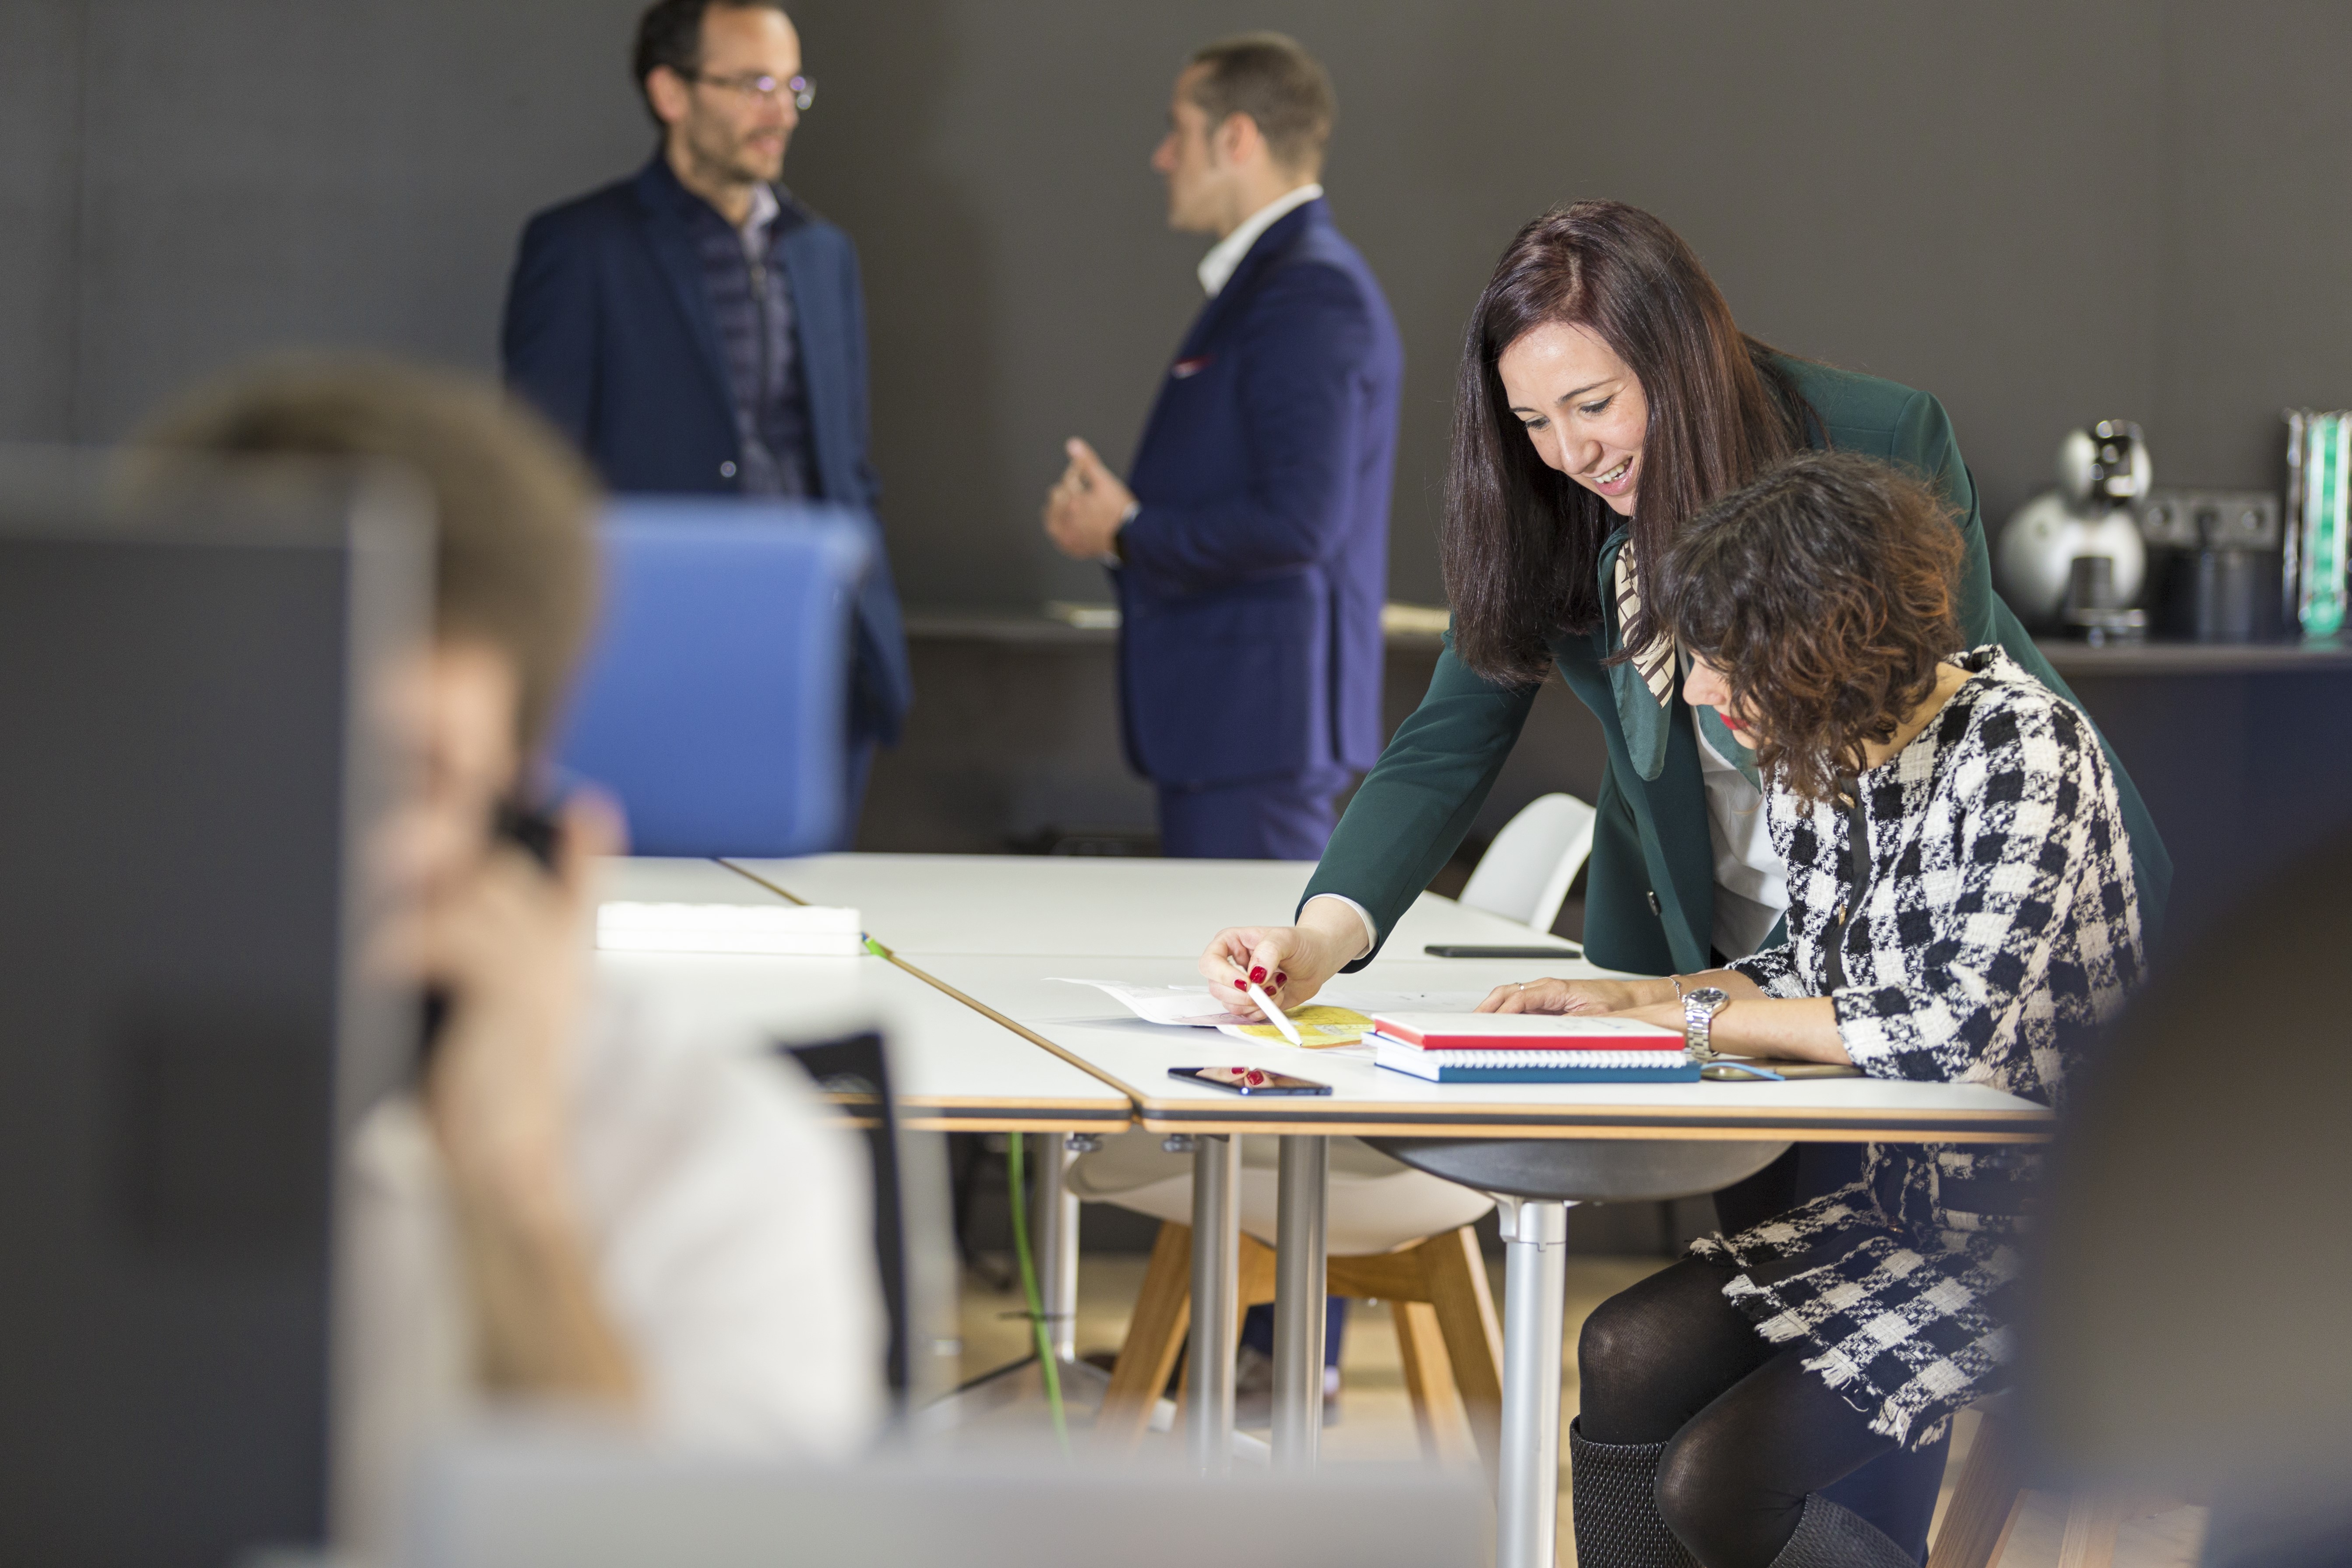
1535, 1313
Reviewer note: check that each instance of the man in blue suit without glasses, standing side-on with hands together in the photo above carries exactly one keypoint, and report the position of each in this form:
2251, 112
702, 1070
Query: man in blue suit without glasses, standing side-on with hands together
1250, 547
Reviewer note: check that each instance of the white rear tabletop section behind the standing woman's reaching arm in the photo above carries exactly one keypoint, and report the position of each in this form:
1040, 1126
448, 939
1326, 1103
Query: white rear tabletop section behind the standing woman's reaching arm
1076, 906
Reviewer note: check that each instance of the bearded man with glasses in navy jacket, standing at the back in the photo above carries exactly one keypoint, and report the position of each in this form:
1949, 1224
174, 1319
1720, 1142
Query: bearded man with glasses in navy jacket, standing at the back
697, 330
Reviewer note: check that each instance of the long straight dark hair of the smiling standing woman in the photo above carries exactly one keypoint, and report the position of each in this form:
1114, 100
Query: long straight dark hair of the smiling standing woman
1521, 542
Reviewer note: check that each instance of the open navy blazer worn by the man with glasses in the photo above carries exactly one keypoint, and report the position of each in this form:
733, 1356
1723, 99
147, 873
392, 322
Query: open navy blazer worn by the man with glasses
610, 333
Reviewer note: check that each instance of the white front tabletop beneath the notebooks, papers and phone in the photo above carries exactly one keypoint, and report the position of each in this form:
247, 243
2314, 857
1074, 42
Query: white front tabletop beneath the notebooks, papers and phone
1372, 1101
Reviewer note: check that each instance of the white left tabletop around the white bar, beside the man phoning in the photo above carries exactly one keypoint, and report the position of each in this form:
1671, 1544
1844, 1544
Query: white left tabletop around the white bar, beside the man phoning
954, 1068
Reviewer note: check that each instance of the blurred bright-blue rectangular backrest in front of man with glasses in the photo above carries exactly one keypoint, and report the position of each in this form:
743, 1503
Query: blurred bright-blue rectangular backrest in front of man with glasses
716, 697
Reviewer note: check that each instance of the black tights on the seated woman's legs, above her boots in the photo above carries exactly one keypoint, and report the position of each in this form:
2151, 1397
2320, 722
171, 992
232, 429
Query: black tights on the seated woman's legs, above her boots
1749, 1430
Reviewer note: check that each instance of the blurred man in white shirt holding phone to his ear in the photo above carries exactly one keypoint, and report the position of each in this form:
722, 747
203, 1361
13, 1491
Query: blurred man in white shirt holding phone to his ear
582, 1202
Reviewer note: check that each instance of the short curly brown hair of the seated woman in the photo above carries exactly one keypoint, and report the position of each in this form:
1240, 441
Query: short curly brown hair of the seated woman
1826, 594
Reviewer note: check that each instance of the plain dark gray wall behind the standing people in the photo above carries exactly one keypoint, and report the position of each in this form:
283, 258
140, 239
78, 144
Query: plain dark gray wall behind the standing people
2043, 213
